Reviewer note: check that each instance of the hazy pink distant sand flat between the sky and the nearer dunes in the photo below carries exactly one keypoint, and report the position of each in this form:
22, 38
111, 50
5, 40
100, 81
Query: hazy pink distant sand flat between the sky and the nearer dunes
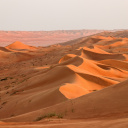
43, 38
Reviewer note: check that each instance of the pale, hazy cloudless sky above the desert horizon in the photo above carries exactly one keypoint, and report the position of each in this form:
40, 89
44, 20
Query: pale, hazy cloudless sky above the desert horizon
63, 14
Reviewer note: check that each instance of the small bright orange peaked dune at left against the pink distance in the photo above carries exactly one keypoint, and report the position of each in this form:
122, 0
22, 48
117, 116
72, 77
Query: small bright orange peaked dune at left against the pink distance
20, 46
